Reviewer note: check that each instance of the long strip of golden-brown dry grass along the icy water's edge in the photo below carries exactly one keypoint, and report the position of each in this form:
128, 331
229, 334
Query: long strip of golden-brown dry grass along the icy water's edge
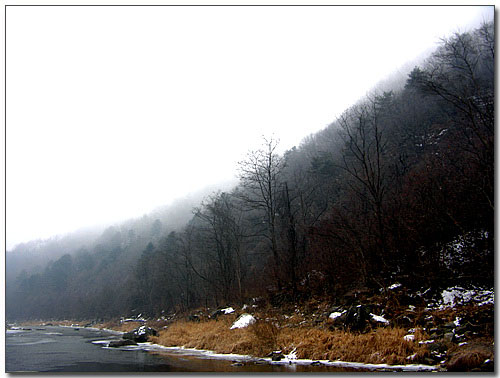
383, 345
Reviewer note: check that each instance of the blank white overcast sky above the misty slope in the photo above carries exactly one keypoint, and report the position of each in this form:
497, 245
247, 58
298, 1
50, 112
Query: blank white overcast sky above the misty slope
114, 111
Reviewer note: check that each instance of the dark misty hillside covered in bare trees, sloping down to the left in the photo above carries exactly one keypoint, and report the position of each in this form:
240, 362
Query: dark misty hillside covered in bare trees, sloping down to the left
400, 188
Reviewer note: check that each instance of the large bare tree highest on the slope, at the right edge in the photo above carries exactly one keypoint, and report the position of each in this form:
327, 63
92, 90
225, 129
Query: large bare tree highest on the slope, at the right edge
461, 74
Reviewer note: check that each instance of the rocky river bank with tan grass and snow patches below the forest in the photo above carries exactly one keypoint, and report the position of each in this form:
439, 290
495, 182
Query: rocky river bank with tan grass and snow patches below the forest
449, 334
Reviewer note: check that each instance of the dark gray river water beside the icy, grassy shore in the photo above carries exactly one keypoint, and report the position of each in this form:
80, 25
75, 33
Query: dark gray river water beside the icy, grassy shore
63, 349
